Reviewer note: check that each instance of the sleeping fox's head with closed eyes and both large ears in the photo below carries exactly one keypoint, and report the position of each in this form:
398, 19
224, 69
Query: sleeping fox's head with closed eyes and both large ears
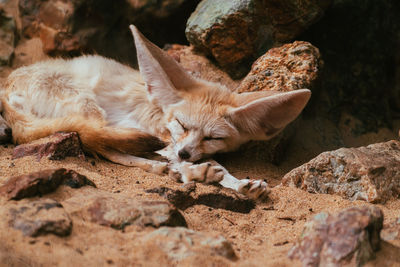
206, 118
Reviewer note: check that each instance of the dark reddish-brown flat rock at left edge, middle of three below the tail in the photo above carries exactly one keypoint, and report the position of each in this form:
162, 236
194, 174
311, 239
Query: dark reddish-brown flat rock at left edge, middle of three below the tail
42, 182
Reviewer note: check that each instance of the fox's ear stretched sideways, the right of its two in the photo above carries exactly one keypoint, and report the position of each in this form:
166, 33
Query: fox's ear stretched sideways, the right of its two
267, 116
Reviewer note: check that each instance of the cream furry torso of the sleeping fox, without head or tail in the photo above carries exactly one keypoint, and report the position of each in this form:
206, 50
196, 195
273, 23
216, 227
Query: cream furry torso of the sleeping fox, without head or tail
93, 88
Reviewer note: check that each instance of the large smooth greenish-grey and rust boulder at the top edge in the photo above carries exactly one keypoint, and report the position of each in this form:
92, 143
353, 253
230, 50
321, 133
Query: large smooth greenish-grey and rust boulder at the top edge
236, 32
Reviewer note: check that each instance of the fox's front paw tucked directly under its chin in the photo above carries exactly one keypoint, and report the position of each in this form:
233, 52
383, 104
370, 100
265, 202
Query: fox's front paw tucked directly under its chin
204, 172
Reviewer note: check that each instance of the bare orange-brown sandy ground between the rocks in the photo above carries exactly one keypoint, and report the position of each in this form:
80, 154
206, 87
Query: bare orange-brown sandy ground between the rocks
261, 237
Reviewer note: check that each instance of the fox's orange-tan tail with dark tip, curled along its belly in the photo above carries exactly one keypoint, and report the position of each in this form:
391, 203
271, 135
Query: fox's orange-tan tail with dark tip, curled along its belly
95, 136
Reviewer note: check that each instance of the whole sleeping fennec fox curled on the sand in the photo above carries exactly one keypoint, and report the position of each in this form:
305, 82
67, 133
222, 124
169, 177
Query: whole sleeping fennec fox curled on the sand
120, 113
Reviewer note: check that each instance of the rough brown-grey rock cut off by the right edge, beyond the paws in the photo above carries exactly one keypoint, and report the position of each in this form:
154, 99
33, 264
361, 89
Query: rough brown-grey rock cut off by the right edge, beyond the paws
370, 173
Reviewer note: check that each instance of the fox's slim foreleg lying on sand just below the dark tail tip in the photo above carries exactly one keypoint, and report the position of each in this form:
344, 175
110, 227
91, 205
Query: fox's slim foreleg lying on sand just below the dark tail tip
153, 166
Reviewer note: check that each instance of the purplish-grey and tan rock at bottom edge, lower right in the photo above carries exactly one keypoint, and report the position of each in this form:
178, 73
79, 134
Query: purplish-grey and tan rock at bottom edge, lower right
350, 237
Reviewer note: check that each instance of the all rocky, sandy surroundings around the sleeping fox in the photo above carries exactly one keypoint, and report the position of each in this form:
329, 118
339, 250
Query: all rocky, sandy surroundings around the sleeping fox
334, 172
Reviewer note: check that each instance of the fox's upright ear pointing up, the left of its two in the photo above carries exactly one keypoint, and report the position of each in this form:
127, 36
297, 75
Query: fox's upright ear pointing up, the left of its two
164, 76
